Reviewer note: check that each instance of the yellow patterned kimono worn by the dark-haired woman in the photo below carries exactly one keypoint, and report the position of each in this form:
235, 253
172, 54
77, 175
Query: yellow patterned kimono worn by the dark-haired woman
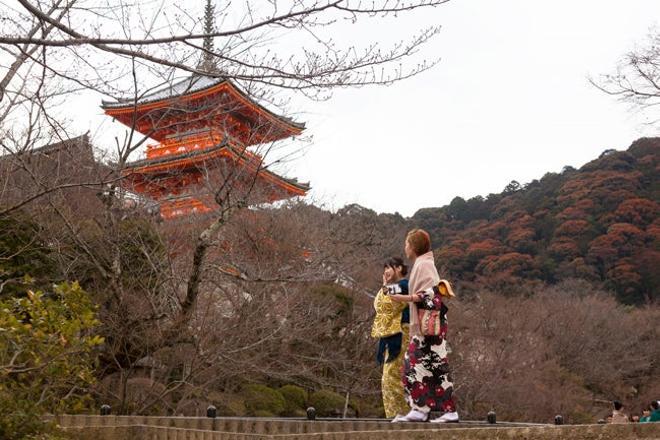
387, 323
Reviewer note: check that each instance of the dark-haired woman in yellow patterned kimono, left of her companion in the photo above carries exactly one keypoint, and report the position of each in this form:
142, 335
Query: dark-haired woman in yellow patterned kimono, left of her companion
391, 328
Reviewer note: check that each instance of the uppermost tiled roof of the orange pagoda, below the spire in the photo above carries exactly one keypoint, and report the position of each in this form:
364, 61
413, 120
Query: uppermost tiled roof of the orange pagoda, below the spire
188, 87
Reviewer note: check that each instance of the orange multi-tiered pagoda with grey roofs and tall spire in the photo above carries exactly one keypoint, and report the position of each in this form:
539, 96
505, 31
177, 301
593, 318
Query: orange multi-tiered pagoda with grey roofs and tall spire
204, 127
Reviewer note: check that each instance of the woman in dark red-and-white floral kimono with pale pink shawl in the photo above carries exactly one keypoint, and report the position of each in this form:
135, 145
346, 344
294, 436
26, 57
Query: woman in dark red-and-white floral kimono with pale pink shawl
426, 376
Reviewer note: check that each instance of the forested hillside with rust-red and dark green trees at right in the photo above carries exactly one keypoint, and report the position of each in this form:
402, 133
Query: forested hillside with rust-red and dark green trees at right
599, 223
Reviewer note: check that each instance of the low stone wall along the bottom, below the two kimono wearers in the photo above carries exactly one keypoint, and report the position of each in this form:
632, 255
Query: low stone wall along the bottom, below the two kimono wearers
191, 428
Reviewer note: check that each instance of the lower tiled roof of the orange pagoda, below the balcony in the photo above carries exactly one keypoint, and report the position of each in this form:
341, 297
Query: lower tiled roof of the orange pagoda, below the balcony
144, 166
